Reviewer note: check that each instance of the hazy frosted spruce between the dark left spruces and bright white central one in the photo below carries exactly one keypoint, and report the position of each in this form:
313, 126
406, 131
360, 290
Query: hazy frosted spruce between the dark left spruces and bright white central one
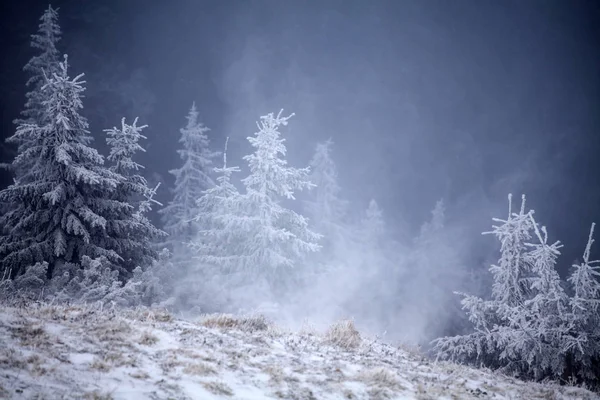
191, 180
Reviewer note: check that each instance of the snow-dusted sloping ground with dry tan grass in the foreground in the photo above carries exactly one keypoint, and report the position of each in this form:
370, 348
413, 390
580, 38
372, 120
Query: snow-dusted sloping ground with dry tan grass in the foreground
59, 352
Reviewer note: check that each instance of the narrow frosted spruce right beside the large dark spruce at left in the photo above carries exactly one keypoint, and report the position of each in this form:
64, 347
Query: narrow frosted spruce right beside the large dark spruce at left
131, 234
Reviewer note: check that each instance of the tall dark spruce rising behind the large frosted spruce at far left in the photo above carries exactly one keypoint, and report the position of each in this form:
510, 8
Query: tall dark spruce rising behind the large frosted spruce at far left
44, 64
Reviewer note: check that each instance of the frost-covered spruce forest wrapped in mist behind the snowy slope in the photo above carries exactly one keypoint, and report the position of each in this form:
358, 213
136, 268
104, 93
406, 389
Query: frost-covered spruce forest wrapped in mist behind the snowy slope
260, 234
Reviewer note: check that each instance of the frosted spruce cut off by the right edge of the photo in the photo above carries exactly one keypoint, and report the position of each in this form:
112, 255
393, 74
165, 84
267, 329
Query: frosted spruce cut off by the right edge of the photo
583, 344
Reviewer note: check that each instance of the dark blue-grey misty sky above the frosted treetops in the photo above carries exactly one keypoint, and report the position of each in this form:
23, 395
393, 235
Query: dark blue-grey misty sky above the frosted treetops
466, 100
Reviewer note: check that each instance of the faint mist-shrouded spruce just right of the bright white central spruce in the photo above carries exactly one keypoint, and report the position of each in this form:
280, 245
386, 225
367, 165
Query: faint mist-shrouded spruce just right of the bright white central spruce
325, 208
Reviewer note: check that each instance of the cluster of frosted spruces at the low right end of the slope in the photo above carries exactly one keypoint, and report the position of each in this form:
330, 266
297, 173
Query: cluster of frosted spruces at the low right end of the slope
526, 328
